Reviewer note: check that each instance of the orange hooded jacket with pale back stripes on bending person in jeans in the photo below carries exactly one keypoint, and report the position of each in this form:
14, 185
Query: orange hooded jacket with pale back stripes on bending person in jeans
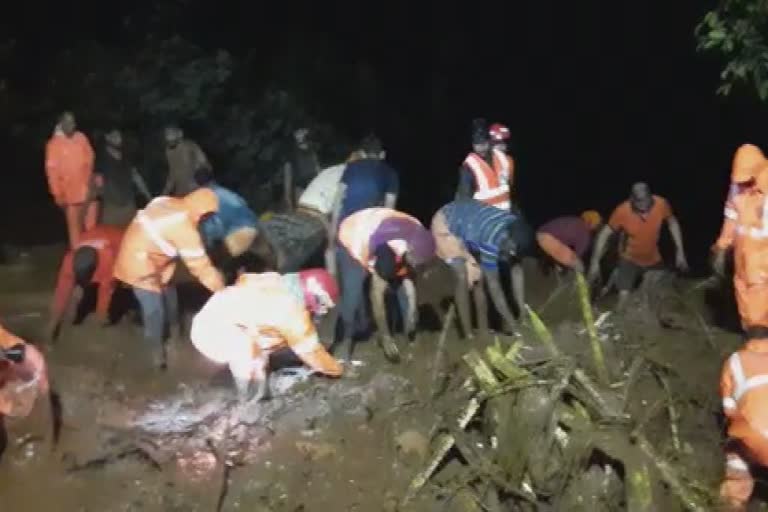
162, 232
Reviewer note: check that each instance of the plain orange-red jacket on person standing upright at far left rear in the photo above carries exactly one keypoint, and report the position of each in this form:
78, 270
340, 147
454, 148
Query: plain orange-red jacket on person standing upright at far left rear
69, 167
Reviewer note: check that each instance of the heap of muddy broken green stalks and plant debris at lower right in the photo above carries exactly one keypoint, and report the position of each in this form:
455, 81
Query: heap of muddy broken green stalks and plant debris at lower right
541, 428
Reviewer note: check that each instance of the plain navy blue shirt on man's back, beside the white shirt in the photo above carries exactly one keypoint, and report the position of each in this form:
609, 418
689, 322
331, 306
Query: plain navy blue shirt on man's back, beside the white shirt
367, 184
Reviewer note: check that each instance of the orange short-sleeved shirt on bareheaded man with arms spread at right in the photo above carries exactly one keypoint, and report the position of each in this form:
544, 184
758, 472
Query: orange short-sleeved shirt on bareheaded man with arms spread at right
642, 231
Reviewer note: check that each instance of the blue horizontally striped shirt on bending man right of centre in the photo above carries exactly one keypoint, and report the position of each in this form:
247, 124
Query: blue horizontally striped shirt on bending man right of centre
482, 228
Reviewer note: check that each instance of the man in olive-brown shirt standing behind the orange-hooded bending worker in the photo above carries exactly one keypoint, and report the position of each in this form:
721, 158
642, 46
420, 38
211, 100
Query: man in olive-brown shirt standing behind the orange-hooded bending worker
184, 159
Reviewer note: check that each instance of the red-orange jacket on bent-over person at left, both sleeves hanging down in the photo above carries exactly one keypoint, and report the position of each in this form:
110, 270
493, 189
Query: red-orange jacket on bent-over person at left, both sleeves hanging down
106, 240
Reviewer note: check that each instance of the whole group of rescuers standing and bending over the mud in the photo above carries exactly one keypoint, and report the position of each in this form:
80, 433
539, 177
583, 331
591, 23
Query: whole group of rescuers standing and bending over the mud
341, 235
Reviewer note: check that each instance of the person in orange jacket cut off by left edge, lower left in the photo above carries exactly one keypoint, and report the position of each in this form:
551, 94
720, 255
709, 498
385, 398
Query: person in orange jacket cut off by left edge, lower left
23, 377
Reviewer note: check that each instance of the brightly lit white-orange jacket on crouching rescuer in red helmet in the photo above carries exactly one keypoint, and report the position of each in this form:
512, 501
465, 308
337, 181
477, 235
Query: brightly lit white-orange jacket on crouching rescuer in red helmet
267, 312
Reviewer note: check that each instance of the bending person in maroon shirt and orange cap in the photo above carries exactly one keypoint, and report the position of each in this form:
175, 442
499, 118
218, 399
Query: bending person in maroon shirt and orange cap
566, 239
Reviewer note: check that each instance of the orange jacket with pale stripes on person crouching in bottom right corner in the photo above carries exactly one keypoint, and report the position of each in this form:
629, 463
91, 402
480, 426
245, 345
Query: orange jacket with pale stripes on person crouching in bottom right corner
744, 390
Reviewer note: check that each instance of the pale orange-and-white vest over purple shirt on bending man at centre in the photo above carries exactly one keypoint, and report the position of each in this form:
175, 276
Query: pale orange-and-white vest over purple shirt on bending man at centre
360, 234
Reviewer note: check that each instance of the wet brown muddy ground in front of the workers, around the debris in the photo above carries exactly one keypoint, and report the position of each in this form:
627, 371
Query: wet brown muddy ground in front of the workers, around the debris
135, 439
